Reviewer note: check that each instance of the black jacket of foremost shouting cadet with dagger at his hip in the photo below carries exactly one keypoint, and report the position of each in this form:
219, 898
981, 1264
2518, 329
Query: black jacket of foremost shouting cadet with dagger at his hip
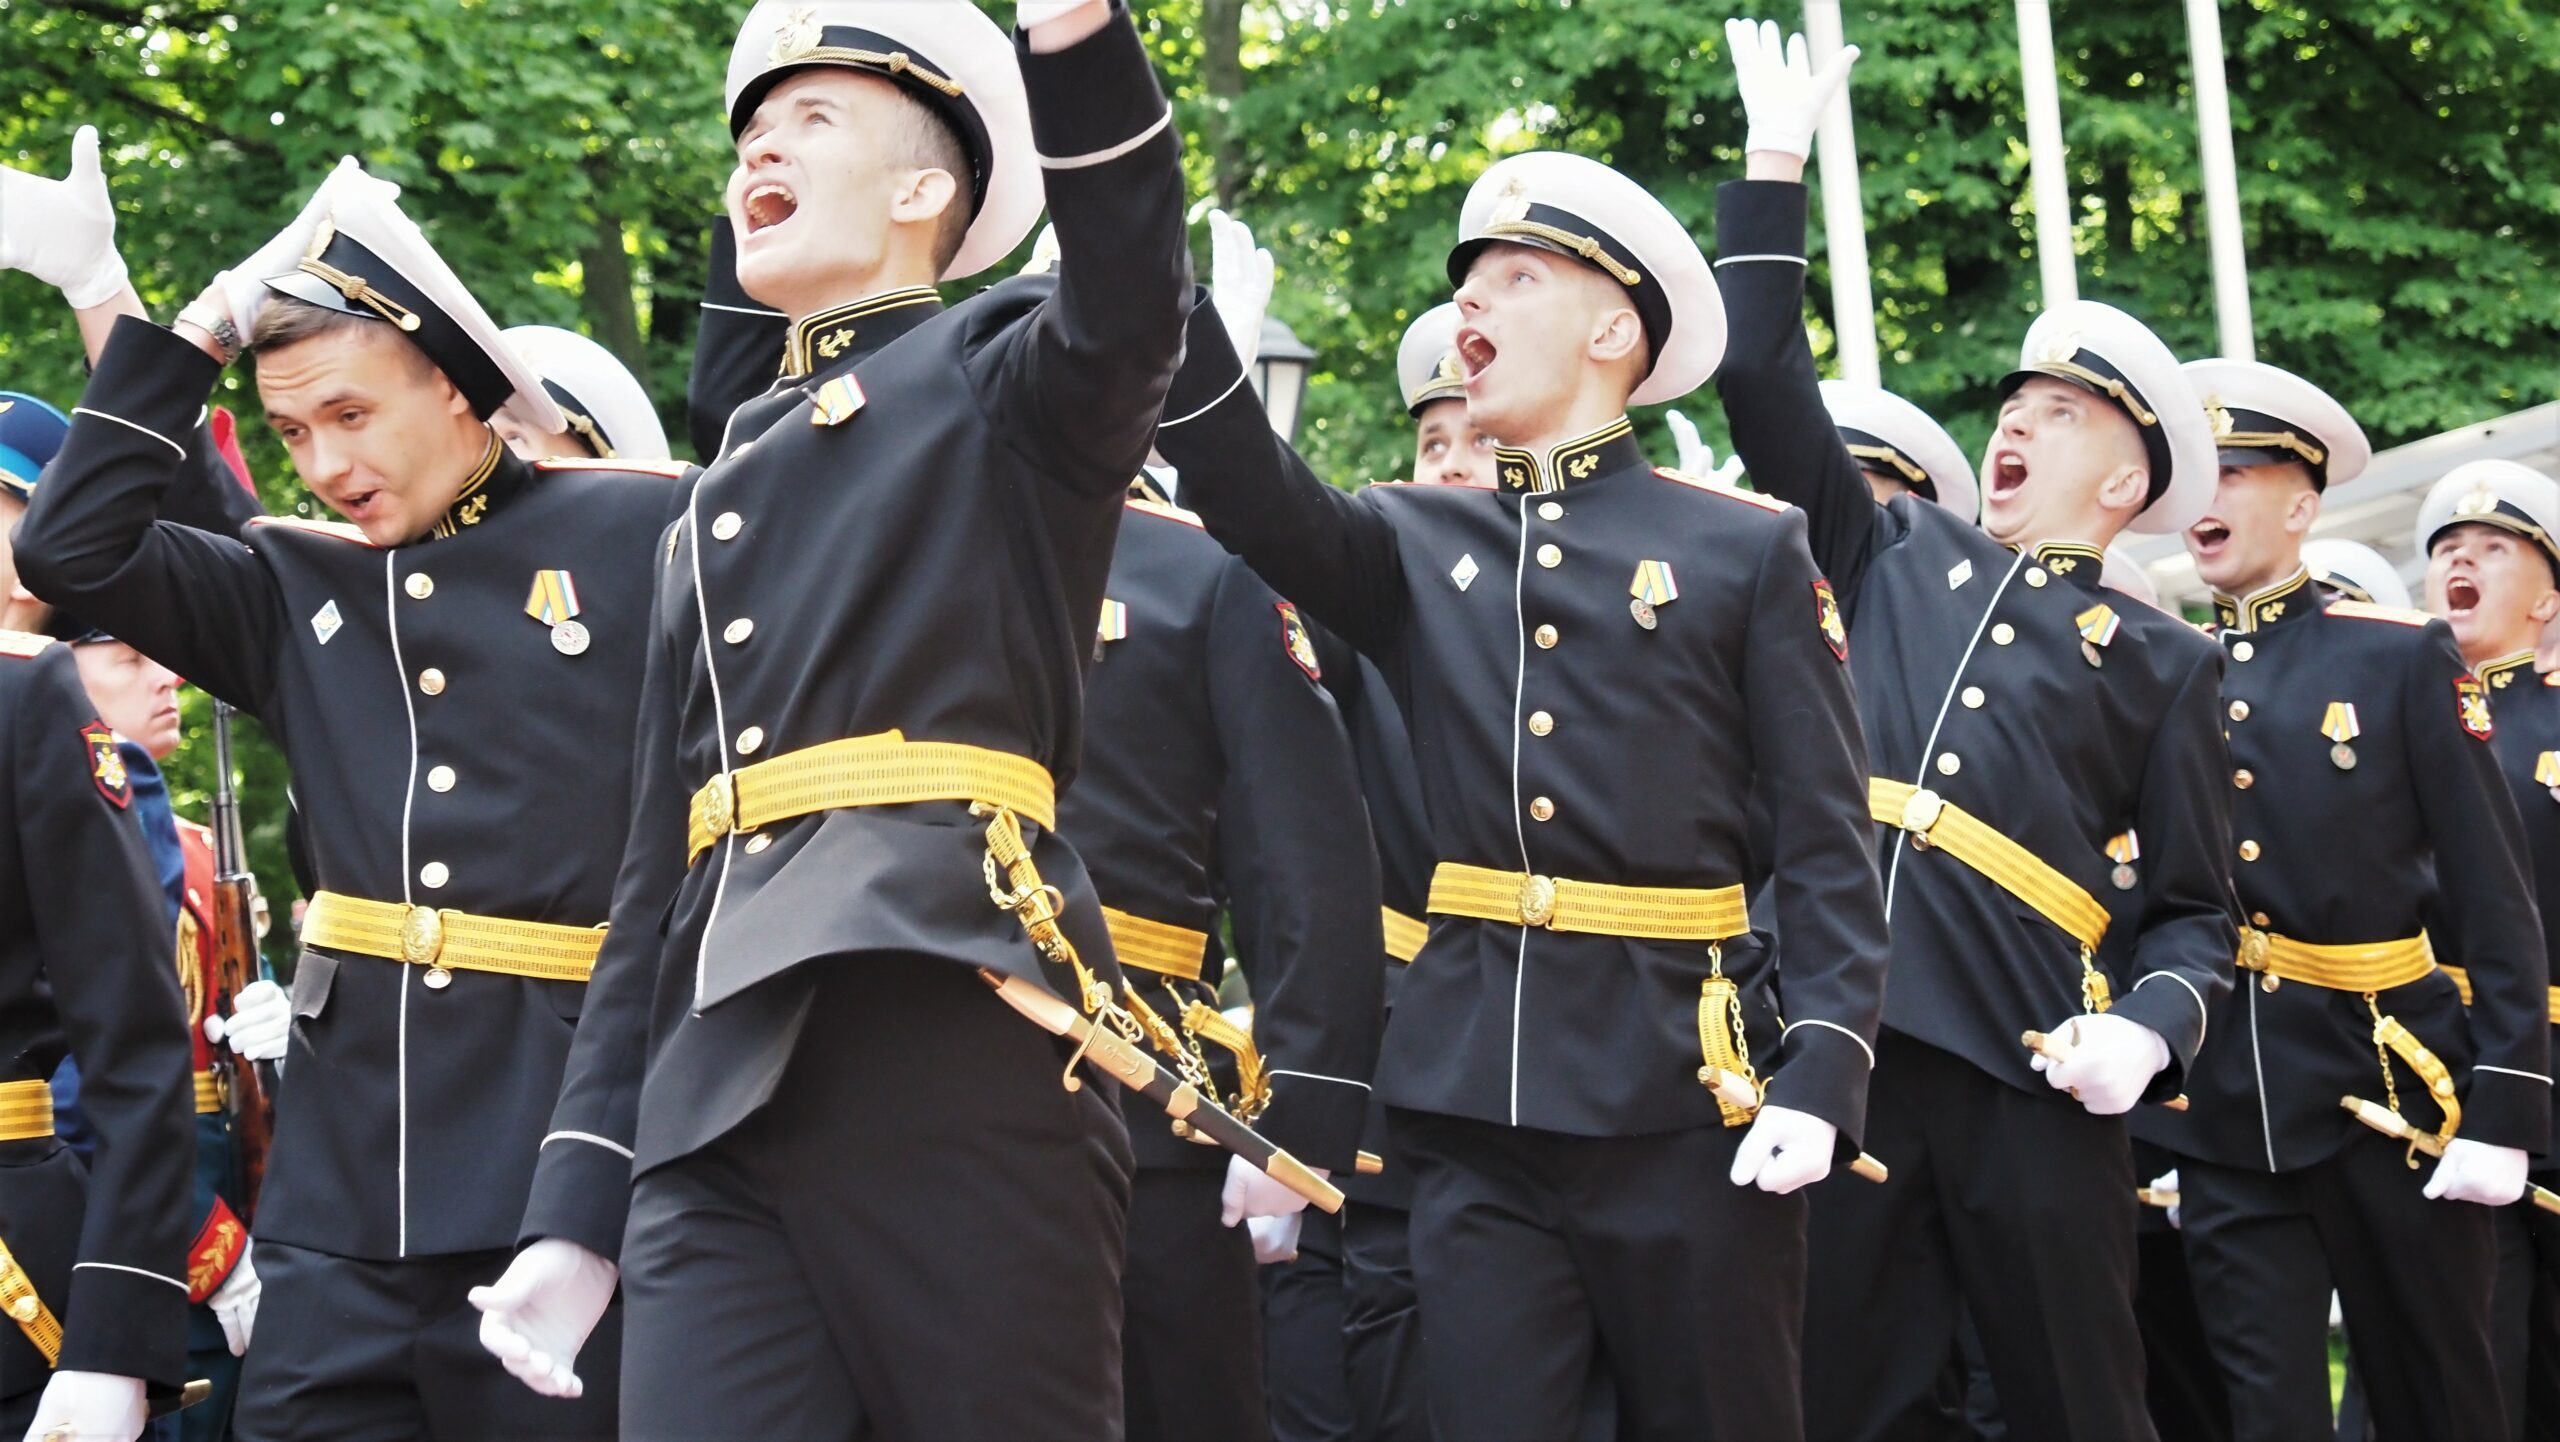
933, 565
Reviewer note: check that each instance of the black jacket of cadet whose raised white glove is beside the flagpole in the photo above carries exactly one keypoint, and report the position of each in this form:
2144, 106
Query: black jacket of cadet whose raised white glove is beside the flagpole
1975, 685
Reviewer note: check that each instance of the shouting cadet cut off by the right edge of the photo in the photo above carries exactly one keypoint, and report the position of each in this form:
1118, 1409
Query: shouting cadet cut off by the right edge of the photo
2490, 531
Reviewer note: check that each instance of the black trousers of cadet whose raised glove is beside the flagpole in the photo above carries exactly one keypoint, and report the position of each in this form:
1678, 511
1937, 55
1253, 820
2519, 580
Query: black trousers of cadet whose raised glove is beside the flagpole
2008, 1205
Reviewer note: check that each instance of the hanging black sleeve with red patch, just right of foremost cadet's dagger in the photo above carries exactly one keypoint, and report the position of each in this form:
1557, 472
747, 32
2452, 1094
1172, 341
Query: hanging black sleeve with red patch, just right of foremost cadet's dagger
1299, 872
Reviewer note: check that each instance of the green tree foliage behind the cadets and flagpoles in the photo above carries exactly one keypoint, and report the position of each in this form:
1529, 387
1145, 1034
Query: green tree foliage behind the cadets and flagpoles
2400, 175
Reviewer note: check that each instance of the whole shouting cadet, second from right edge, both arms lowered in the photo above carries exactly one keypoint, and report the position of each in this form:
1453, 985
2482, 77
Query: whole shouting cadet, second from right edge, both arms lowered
2364, 798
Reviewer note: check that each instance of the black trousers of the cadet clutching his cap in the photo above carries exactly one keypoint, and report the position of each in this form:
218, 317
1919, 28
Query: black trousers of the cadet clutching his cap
355, 1351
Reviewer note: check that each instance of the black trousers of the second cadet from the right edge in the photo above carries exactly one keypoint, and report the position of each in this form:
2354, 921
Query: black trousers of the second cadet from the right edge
2413, 1279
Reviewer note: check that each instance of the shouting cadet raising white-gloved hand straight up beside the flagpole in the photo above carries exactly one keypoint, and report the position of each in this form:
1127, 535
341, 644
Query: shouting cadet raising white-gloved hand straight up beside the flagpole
2019, 721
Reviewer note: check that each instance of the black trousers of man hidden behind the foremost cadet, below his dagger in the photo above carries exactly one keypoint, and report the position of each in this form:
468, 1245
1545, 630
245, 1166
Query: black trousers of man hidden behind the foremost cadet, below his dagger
1194, 1315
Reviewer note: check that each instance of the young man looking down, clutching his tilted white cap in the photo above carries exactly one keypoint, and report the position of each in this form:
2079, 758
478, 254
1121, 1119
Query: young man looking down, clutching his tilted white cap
483, 613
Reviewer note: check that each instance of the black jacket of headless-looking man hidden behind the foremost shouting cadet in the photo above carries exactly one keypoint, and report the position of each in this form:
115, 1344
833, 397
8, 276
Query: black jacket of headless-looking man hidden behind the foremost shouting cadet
1217, 770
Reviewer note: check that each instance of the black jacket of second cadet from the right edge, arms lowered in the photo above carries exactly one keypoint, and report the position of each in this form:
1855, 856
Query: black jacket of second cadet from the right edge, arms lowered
2359, 854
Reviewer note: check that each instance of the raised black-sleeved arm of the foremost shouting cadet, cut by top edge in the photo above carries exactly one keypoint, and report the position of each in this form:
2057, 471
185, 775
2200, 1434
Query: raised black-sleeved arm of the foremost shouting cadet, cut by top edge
1084, 380
